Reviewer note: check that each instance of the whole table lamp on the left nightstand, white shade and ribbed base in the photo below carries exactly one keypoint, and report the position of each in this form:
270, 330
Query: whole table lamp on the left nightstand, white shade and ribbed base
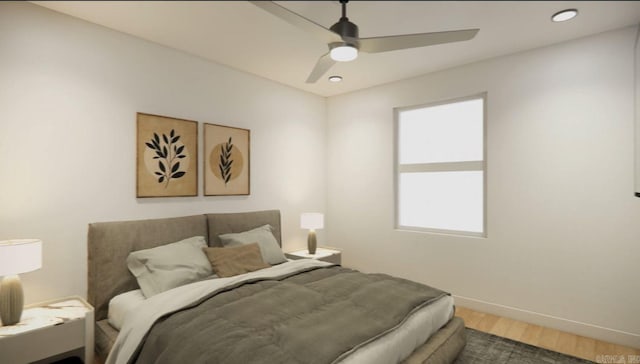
16, 256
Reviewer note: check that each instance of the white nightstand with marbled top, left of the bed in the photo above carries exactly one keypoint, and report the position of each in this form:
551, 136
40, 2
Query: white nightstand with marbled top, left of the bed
50, 331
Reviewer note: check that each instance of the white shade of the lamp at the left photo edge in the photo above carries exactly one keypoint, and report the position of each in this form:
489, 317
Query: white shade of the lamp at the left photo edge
20, 256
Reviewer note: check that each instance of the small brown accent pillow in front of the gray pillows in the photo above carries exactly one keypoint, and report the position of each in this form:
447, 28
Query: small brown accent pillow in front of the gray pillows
227, 262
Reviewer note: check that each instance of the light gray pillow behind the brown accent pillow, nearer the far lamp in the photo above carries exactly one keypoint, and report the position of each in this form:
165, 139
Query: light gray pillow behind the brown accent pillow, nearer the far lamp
269, 248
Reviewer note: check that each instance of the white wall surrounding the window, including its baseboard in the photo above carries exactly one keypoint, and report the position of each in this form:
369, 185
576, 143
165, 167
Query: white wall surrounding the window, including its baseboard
563, 226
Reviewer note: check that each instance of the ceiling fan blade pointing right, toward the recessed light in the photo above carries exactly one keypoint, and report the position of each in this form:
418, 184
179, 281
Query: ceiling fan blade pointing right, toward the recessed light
395, 42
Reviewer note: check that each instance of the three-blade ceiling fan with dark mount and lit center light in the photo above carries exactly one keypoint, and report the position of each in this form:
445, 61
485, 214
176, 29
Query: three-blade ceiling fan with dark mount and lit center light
344, 43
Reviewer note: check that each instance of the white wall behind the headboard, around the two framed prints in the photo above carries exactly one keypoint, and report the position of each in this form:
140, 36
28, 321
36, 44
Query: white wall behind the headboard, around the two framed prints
69, 93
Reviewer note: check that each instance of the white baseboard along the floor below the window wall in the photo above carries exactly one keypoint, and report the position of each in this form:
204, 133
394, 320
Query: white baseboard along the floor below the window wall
558, 323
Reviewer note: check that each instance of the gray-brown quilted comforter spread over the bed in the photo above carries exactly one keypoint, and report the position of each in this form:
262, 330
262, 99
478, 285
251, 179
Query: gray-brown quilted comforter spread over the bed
317, 316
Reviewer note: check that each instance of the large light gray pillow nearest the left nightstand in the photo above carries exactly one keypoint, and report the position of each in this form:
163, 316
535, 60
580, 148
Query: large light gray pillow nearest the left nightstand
168, 266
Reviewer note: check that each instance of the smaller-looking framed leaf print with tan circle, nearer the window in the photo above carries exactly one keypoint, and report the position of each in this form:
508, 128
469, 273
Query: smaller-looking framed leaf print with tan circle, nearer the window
226, 160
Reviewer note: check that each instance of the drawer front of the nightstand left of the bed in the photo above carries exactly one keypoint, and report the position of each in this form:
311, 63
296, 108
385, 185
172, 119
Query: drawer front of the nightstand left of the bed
43, 343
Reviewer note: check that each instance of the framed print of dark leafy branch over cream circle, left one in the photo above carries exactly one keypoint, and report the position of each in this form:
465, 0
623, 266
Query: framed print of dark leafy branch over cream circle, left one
167, 156
